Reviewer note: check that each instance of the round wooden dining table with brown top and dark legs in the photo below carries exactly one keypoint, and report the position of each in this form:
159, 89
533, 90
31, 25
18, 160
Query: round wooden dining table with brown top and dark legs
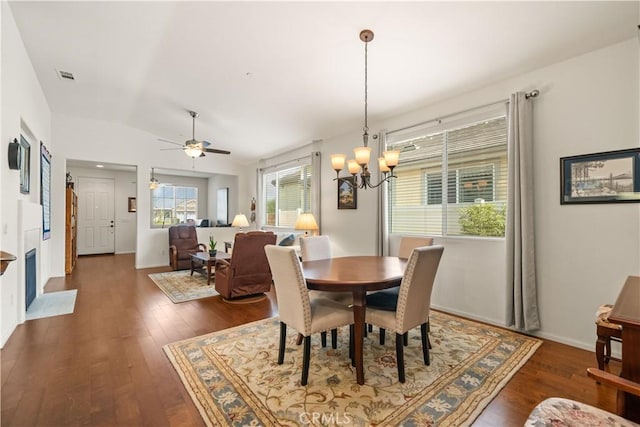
358, 275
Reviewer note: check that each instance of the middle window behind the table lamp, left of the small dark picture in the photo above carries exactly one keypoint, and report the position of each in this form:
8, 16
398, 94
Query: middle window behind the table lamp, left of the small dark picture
287, 193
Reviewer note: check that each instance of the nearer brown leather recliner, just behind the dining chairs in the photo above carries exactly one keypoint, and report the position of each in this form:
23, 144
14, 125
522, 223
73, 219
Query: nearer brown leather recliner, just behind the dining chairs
247, 272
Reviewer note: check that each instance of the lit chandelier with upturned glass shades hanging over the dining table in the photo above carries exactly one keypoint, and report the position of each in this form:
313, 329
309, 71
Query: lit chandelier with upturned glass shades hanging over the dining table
359, 167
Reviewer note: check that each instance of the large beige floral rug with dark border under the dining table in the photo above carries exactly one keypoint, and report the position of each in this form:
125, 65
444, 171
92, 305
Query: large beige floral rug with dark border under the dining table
234, 379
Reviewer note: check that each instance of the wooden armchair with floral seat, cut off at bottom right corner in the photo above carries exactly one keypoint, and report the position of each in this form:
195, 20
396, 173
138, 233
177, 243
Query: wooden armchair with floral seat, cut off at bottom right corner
565, 412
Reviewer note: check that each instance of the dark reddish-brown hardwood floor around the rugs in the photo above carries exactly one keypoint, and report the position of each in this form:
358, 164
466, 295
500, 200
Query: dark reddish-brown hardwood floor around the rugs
104, 364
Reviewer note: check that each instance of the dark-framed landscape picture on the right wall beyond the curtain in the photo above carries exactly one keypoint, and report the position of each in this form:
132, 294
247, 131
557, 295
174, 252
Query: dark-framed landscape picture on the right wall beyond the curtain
607, 177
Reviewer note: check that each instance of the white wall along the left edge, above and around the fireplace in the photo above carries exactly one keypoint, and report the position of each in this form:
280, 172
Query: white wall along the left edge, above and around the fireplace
24, 110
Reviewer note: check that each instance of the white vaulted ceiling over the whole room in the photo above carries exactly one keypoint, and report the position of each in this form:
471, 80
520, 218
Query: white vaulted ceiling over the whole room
266, 76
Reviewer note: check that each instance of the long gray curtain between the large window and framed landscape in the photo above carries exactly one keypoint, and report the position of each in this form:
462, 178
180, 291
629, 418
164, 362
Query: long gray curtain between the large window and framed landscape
522, 299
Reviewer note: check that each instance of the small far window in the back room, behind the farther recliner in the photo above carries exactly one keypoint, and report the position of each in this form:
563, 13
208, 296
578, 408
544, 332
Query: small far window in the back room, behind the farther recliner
173, 205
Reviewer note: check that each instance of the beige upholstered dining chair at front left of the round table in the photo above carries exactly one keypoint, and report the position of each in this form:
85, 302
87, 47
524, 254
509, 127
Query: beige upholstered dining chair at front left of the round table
296, 309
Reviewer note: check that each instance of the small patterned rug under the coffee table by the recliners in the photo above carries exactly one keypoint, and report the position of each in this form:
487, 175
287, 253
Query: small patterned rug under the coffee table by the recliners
180, 286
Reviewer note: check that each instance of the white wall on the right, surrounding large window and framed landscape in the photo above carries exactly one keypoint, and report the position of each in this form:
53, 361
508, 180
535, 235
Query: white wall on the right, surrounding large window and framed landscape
584, 252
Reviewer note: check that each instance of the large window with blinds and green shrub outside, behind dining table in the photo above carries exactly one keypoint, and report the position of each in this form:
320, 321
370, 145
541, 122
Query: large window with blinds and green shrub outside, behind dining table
451, 180
